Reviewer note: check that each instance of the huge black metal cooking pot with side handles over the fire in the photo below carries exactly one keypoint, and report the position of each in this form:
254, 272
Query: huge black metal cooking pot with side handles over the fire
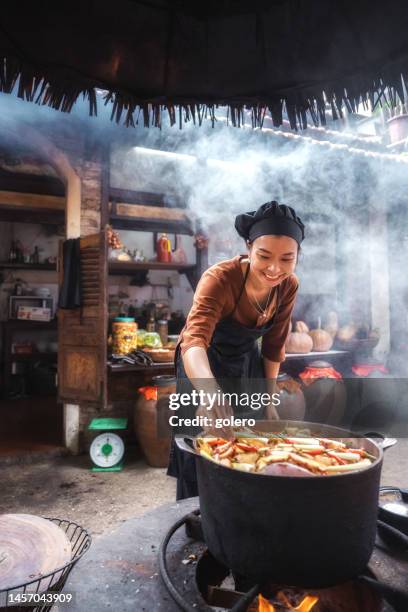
312, 531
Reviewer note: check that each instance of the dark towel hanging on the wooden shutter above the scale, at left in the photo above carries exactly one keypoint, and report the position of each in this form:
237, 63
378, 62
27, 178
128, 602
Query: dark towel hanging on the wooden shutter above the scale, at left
71, 292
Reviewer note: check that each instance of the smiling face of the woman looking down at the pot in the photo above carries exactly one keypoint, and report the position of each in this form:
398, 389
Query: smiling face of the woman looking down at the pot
273, 258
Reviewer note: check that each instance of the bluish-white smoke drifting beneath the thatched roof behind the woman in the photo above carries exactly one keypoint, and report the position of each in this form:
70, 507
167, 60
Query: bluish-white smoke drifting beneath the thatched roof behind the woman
353, 204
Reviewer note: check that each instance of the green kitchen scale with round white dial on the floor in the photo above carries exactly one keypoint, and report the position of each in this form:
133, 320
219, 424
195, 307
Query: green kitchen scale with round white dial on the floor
107, 449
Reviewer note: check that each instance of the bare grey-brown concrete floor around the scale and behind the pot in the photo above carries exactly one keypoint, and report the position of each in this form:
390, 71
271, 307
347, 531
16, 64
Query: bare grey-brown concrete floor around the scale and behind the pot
64, 487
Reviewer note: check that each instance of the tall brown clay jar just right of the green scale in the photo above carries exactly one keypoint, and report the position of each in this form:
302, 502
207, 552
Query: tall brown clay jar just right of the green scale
151, 420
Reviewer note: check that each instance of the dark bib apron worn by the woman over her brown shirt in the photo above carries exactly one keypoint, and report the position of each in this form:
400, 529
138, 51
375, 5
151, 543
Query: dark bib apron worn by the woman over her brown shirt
233, 353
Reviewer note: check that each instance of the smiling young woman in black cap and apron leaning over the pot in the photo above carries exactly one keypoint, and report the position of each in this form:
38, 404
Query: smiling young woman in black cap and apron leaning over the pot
237, 302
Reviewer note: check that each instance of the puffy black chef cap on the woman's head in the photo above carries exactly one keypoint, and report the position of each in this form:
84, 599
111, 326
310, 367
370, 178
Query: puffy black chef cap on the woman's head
270, 218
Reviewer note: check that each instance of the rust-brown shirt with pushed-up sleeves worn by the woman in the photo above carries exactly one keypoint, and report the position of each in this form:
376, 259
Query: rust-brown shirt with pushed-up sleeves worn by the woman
214, 299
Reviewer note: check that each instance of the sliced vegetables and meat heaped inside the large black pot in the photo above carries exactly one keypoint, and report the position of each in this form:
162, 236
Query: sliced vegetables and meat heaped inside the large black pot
283, 454
